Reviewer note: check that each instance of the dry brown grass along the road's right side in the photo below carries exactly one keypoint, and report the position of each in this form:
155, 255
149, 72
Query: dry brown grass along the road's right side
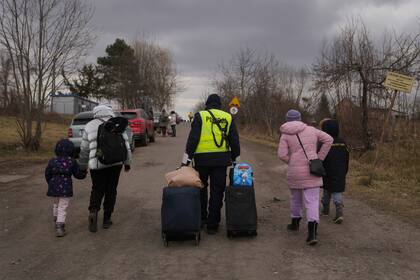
395, 188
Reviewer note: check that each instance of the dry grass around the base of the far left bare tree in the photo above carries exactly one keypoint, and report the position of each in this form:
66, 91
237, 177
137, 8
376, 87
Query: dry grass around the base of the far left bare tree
10, 149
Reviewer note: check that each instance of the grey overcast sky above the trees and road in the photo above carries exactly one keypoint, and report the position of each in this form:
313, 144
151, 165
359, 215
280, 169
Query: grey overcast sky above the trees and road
202, 33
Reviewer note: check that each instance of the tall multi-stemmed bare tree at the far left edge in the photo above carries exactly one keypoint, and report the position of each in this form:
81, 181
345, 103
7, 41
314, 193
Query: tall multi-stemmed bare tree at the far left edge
42, 38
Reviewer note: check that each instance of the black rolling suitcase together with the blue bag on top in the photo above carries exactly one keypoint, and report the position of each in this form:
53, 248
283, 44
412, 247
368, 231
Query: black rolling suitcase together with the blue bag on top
240, 205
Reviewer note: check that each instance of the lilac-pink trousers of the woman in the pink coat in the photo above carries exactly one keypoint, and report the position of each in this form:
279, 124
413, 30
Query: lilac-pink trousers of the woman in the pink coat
309, 197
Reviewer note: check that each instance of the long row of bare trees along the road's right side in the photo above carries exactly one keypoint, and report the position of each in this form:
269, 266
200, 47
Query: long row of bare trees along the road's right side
349, 70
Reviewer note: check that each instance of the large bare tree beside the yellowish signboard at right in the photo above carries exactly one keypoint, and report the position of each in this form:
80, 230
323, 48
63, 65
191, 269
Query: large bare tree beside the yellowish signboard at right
352, 59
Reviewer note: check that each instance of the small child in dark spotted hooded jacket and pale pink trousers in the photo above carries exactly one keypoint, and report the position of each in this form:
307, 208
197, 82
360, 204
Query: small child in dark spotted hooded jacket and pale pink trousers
59, 174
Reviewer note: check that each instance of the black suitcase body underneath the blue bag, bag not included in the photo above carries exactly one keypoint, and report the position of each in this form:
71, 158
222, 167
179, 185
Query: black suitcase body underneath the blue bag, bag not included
241, 211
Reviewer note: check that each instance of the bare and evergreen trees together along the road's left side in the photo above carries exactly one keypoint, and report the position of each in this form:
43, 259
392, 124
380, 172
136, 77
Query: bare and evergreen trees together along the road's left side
42, 45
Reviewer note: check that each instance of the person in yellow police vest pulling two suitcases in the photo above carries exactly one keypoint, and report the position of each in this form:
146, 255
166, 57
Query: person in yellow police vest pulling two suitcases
213, 144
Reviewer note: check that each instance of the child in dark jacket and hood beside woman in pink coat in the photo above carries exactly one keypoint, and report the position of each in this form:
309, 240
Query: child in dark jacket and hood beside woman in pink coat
336, 166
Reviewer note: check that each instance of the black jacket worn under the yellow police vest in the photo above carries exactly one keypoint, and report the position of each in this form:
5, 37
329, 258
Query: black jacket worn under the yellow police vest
212, 159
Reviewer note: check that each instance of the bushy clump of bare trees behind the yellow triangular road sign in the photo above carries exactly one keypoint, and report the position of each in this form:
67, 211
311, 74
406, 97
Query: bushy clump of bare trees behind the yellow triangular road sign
266, 88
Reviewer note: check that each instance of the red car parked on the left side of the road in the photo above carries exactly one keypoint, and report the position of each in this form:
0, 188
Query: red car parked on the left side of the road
141, 124
